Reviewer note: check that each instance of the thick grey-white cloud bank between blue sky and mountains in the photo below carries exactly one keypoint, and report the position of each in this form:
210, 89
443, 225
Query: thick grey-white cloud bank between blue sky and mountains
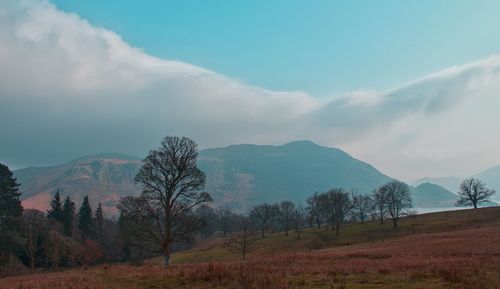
68, 88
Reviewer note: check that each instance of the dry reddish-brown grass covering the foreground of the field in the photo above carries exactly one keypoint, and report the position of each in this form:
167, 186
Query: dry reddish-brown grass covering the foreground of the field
463, 259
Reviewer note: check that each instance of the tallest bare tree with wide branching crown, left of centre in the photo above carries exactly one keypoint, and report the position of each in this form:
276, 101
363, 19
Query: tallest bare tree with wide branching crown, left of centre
171, 188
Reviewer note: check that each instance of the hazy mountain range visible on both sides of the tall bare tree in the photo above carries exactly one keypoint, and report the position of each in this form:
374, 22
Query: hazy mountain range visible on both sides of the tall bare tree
238, 175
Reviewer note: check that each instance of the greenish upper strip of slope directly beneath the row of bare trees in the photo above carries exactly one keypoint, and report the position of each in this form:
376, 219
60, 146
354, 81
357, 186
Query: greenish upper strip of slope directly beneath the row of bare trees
351, 234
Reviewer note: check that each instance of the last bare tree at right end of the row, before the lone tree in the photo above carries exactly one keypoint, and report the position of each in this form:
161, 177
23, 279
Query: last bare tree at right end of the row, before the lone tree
398, 200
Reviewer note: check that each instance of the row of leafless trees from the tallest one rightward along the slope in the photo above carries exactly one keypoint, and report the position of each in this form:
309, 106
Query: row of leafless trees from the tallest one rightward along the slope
173, 206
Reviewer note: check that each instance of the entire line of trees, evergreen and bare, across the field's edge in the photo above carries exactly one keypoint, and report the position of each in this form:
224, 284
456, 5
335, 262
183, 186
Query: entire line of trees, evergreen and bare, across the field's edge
173, 211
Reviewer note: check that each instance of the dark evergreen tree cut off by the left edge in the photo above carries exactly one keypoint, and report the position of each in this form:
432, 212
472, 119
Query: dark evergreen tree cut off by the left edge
10, 212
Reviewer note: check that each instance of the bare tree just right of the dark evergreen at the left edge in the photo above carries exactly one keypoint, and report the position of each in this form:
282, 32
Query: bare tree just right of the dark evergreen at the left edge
36, 226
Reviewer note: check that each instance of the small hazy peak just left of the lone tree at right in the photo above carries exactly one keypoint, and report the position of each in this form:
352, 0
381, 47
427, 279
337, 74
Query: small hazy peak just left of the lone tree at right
429, 195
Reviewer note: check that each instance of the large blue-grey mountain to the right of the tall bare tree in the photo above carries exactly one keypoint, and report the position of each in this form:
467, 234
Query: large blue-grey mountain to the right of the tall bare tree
241, 175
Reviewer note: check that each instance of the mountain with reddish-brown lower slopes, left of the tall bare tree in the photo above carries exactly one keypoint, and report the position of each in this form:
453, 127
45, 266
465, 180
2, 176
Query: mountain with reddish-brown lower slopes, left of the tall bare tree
104, 178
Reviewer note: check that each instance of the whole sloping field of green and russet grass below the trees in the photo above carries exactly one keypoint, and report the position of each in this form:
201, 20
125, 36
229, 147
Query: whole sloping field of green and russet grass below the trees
459, 249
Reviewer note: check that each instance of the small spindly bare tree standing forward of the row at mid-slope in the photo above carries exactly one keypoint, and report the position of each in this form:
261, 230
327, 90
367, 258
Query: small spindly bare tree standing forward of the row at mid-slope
244, 239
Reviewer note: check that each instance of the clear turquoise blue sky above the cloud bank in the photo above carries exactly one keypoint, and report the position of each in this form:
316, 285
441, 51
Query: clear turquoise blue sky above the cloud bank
321, 47
